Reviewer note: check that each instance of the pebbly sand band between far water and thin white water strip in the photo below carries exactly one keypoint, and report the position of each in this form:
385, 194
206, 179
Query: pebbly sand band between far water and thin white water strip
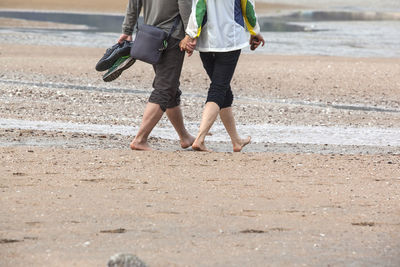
287, 90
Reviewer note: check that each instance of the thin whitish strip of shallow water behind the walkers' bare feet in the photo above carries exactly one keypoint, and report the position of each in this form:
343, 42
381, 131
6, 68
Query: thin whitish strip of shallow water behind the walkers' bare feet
264, 133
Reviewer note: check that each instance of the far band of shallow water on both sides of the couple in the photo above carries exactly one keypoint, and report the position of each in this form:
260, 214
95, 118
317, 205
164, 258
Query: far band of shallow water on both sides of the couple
327, 34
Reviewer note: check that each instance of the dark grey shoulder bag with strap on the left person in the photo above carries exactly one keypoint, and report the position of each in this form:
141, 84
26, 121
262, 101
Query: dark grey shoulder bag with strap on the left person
150, 41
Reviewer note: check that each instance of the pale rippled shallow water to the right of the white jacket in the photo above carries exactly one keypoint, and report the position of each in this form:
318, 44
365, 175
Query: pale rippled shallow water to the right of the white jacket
338, 38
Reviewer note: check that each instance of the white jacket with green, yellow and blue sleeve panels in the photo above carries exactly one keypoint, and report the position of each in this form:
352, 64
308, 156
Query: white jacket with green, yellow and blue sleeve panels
221, 25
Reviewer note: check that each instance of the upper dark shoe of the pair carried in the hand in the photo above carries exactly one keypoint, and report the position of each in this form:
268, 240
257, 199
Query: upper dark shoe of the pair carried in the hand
113, 54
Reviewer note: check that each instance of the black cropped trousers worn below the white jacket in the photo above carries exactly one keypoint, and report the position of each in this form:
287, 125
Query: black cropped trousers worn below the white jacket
220, 67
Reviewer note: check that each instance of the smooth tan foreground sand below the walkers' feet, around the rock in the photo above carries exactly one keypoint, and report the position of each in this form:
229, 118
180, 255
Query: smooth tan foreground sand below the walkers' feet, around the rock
79, 207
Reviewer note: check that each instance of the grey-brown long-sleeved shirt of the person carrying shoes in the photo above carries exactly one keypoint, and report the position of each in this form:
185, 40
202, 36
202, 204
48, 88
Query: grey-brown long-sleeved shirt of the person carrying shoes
159, 13
